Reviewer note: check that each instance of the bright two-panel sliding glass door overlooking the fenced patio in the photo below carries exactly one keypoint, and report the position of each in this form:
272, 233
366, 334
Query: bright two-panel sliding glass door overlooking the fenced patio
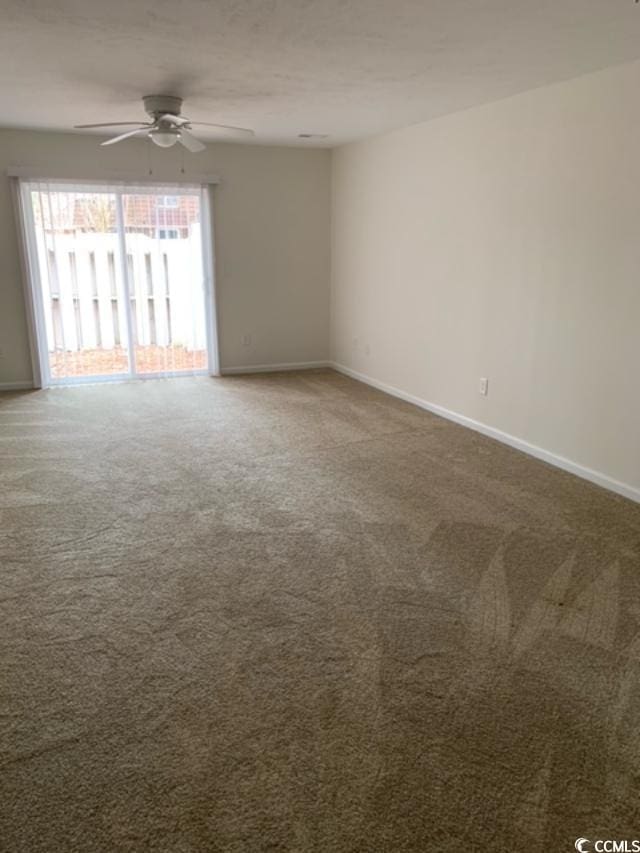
118, 279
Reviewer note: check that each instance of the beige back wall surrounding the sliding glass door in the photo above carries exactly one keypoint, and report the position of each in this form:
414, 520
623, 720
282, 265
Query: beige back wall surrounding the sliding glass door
272, 240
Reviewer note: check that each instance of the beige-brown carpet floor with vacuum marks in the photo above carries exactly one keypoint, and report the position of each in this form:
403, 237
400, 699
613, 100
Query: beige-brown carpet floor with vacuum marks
290, 613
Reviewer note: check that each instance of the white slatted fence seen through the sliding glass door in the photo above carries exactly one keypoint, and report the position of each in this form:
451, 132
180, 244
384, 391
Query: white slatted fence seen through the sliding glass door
83, 293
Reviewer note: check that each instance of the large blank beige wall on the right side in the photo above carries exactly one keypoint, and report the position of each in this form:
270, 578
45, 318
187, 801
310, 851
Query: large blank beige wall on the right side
503, 242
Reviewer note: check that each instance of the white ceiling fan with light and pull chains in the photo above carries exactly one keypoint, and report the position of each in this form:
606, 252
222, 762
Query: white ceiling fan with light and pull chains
167, 125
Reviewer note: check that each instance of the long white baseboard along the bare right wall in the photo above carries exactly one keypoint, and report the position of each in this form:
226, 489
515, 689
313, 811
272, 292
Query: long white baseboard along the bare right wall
596, 477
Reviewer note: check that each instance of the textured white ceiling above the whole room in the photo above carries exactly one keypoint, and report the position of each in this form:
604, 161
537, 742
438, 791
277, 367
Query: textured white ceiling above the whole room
347, 68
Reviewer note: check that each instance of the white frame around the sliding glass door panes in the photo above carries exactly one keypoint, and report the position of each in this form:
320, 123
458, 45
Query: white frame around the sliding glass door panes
26, 232
